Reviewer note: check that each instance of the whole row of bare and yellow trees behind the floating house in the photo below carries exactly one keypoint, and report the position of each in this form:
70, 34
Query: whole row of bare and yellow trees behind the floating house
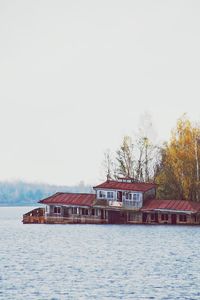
174, 165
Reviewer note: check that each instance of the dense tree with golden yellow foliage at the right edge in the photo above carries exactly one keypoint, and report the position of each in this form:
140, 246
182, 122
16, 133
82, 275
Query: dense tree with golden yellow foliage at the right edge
178, 172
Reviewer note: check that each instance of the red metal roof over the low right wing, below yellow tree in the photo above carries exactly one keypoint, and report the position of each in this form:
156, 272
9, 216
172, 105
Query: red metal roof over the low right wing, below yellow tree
181, 205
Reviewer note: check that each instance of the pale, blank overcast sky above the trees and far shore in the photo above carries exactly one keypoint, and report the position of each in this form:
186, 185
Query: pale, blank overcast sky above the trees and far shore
75, 76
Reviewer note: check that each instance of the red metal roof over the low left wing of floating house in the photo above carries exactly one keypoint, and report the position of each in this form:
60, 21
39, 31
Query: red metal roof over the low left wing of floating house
70, 199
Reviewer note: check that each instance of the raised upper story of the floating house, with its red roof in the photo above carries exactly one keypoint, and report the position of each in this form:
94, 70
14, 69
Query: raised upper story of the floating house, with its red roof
125, 192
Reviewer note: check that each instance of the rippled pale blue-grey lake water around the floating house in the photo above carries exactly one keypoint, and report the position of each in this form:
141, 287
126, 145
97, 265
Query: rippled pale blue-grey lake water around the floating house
97, 261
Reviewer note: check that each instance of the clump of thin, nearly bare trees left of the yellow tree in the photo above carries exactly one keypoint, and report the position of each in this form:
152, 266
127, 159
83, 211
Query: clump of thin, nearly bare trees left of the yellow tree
136, 157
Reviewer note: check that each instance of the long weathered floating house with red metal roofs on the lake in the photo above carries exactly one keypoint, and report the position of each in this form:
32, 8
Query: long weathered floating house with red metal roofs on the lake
121, 201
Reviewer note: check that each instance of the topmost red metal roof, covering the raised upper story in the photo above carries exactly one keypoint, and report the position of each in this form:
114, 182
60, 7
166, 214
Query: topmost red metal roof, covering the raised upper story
126, 186
